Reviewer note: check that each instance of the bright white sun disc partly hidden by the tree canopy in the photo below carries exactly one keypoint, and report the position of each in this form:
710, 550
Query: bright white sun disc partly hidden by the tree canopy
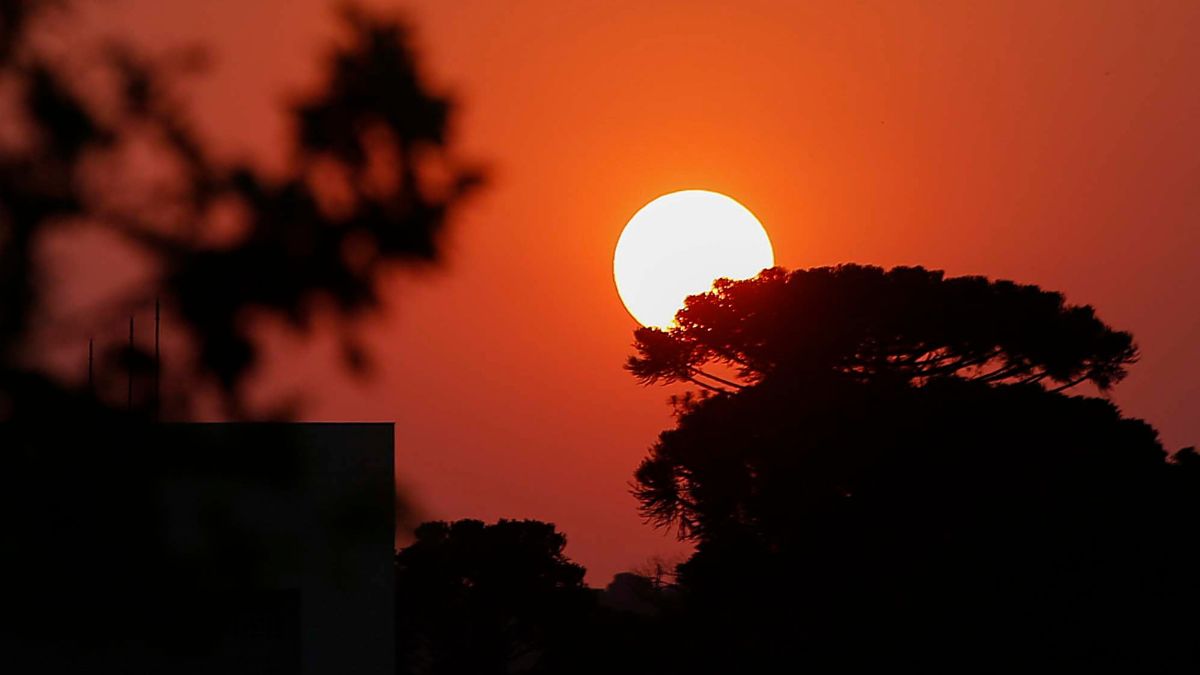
679, 244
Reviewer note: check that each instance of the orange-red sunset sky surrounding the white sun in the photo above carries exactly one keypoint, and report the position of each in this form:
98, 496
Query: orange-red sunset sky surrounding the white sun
1054, 144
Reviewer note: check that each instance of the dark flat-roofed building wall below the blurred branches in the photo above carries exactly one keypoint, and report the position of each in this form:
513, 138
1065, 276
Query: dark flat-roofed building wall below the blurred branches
231, 548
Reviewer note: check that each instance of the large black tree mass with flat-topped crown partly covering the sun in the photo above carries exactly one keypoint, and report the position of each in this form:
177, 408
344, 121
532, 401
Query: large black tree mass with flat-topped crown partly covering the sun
896, 476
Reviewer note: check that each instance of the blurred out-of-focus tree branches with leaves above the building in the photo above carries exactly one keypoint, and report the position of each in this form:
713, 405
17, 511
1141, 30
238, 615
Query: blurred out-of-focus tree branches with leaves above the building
227, 242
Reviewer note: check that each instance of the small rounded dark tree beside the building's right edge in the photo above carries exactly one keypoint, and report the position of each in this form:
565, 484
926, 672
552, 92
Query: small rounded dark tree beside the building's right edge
487, 599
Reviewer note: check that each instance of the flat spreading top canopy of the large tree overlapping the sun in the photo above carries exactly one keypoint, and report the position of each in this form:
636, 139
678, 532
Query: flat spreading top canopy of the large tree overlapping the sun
907, 324
